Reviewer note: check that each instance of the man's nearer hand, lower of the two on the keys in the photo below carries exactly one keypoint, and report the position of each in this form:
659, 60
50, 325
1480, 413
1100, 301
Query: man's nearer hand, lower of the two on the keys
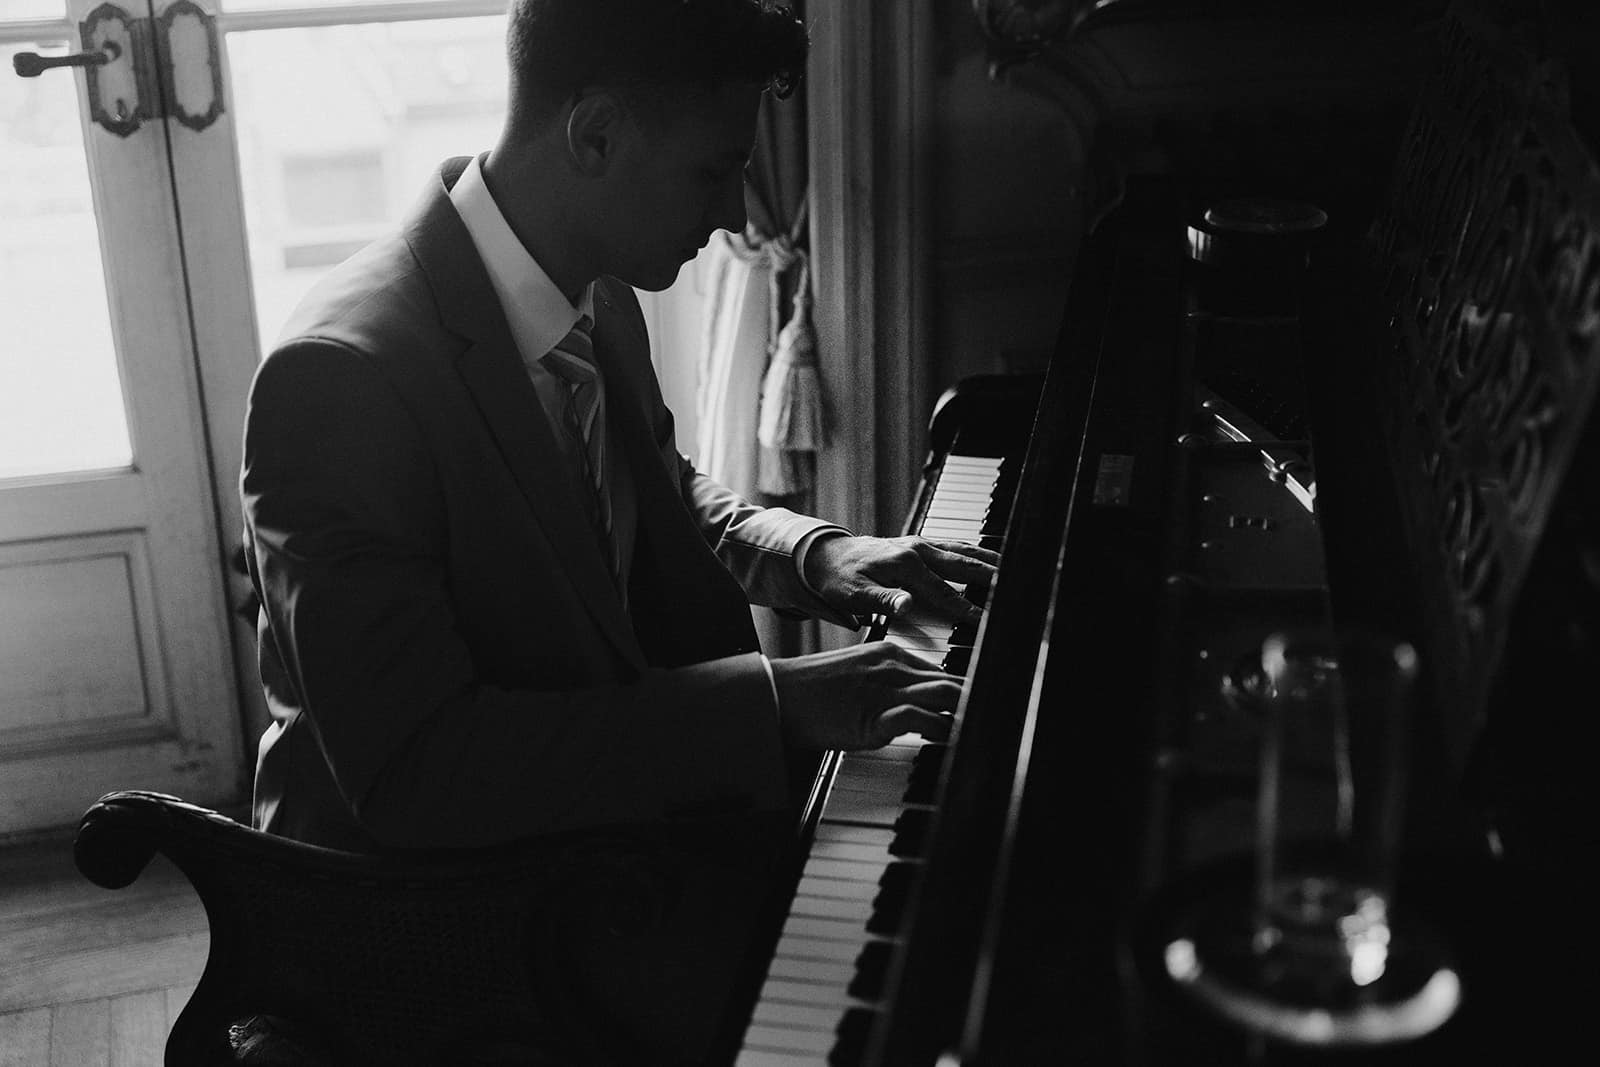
863, 697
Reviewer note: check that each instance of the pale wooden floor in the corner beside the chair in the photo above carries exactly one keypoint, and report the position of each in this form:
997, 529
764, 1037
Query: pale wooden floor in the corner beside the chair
90, 977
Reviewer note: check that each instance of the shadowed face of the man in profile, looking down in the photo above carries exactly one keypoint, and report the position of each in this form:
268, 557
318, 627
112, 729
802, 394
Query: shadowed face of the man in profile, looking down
679, 182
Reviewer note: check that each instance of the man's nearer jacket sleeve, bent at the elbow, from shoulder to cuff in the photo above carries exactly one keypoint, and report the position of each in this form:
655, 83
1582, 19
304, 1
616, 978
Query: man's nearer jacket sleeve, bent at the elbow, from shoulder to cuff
348, 530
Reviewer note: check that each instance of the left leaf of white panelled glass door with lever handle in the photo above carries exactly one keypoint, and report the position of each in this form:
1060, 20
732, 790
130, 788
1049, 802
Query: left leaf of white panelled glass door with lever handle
116, 666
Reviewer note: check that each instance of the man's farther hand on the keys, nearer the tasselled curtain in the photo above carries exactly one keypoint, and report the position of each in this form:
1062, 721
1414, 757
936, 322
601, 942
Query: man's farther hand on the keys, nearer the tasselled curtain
892, 575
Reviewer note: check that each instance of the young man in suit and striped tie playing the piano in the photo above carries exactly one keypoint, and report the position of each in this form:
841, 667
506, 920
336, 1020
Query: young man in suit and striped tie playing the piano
497, 601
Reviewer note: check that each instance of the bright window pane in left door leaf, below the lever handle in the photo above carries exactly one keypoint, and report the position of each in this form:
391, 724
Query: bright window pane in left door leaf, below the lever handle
60, 390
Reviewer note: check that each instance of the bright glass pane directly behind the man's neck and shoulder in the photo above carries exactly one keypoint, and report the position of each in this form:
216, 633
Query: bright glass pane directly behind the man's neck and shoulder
340, 129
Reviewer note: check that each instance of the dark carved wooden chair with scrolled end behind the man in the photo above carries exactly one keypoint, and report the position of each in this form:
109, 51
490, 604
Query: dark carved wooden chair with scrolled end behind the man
441, 957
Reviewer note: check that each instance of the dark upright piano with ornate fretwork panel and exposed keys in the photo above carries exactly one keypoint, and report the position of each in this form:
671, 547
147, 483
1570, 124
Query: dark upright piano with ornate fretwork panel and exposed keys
1262, 417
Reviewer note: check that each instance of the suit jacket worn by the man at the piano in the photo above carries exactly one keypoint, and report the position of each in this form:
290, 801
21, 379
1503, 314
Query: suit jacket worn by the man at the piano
442, 649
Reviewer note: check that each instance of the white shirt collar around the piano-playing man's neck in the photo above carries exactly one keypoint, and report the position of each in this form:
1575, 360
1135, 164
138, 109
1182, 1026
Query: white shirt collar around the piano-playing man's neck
538, 313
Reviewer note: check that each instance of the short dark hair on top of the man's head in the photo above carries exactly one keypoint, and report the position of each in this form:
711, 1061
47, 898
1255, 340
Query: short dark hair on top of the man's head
561, 47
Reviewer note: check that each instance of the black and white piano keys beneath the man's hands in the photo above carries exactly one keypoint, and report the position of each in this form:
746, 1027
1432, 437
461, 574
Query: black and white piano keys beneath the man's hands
841, 930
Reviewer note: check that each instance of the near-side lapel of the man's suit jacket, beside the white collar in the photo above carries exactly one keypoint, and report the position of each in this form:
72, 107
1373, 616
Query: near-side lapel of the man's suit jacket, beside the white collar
494, 374
